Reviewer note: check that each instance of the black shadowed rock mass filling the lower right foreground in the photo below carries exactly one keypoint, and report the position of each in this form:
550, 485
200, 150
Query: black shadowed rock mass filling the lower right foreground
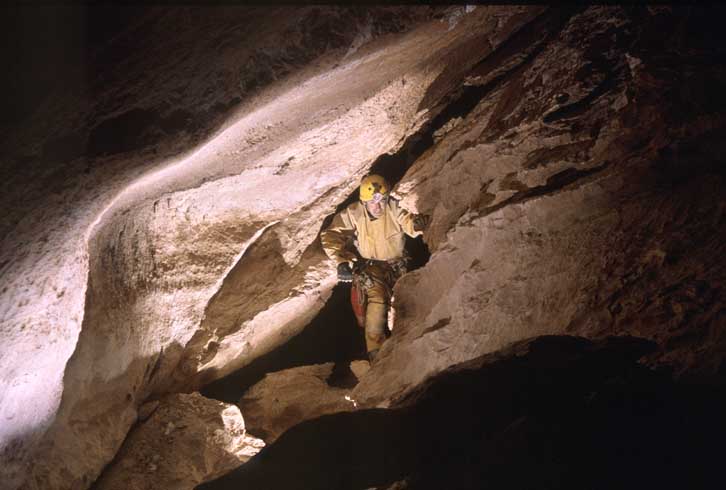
548, 413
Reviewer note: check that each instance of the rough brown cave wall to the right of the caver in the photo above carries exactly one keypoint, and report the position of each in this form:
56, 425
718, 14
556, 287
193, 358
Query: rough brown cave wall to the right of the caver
580, 193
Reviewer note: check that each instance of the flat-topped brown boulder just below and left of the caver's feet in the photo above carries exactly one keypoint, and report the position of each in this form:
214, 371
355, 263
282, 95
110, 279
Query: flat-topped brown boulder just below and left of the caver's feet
285, 398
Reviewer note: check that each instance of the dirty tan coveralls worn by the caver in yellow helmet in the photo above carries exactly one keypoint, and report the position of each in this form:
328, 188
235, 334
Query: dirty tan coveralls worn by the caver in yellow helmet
382, 241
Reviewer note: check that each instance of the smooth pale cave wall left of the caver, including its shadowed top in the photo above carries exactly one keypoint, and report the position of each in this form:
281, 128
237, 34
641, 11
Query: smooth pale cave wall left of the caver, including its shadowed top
162, 221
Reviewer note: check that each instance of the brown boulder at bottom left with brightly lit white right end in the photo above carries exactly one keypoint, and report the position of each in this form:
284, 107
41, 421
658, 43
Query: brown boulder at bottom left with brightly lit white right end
187, 440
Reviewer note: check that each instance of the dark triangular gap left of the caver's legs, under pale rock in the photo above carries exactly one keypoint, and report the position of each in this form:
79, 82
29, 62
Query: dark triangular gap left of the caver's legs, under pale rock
333, 336
